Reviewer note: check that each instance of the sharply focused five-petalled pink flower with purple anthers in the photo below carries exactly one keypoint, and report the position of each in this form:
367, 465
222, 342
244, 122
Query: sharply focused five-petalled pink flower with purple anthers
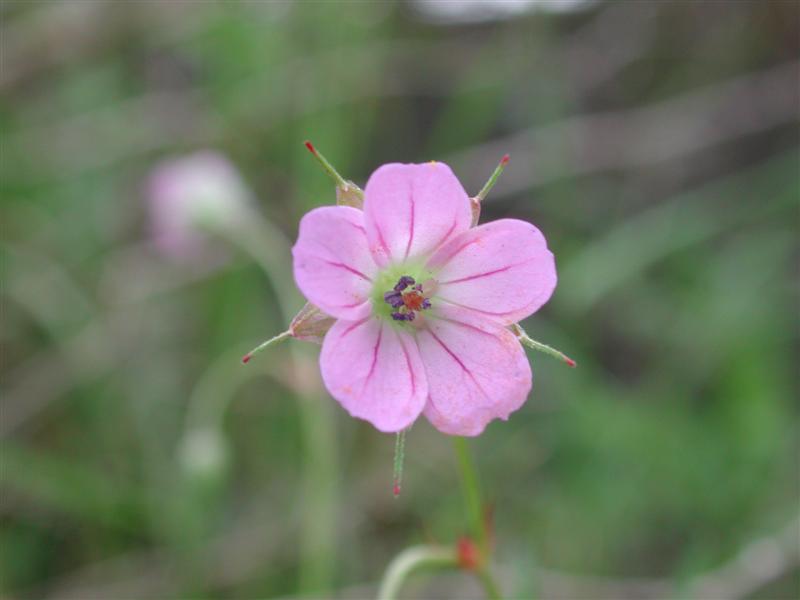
423, 302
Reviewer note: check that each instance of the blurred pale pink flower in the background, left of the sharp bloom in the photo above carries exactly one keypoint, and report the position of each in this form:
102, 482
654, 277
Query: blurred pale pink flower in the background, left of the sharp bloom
191, 196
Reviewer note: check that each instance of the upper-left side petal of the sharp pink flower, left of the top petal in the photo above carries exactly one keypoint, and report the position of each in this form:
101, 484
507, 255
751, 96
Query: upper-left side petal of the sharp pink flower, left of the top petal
332, 264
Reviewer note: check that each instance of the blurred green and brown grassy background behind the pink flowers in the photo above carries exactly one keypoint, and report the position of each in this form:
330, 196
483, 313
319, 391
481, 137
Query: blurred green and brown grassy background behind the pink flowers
654, 143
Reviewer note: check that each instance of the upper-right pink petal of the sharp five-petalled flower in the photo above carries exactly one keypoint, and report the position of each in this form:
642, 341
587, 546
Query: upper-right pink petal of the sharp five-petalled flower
502, 270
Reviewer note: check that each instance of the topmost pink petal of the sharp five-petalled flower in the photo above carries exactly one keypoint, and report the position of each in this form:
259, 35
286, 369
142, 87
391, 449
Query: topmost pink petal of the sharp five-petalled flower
411, 210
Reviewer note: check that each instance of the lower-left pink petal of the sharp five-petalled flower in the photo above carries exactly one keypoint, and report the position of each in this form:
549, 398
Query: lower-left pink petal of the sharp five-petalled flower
374, 370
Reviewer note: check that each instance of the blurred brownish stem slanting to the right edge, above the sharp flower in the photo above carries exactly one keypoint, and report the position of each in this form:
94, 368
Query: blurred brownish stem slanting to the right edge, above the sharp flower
639, 137
